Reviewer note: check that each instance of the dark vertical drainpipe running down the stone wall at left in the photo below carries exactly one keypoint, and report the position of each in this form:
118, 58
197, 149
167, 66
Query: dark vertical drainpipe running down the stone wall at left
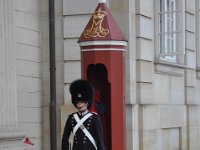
52, 108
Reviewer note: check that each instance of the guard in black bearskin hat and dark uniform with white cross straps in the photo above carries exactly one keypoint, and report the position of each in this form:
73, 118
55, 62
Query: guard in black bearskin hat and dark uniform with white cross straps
84, 125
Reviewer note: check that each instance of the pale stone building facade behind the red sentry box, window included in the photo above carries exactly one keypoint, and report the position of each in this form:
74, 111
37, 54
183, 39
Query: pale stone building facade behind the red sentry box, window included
162, 70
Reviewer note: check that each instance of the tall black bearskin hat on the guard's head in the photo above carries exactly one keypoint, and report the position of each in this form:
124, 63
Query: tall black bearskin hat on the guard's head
82, 90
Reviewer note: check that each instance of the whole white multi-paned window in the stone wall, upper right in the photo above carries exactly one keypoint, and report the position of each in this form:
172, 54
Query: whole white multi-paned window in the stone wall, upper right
170, 23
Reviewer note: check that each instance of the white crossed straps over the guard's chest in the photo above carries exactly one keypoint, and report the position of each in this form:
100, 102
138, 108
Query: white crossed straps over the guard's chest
82, 127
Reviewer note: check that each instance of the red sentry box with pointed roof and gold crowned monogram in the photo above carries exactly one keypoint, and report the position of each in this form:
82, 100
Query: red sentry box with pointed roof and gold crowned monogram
102, 62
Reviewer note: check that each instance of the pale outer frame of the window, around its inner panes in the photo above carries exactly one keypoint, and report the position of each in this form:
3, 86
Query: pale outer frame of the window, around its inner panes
177, 56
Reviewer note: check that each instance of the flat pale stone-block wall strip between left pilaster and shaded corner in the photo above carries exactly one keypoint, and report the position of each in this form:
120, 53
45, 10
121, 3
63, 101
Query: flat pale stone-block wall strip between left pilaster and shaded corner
29, 69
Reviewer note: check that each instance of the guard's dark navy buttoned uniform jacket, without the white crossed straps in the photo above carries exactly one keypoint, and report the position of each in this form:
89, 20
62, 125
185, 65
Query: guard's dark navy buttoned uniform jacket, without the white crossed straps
81, 140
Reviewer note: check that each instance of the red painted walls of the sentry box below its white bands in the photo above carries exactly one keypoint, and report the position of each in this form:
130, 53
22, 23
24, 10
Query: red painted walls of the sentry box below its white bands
114, 62
